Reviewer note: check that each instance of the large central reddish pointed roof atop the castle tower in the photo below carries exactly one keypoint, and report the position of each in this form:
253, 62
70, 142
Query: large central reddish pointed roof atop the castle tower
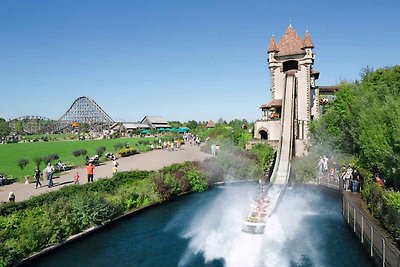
290, 44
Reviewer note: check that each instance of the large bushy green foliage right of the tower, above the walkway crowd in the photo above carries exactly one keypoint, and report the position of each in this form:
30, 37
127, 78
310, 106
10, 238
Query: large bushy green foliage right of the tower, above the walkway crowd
364, 120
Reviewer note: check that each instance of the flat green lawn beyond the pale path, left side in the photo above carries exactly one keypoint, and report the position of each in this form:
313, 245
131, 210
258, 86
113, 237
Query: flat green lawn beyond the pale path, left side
11, 153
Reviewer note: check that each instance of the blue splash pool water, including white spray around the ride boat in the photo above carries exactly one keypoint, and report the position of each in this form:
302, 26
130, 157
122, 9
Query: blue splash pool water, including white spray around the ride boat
204, 229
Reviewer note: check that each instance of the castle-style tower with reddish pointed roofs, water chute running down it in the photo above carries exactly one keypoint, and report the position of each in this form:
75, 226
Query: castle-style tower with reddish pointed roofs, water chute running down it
292, 53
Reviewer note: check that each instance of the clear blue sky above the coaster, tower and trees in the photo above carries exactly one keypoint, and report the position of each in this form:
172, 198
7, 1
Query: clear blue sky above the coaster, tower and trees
180, 59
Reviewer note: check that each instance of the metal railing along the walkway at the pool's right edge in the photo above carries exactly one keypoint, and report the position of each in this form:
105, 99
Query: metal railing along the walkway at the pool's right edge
370, 236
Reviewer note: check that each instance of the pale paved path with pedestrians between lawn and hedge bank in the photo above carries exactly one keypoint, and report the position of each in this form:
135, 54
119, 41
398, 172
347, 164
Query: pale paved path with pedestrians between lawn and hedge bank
153, 160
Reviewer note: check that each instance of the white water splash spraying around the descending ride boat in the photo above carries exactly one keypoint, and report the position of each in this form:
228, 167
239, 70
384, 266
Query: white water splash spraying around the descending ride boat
216, 232
